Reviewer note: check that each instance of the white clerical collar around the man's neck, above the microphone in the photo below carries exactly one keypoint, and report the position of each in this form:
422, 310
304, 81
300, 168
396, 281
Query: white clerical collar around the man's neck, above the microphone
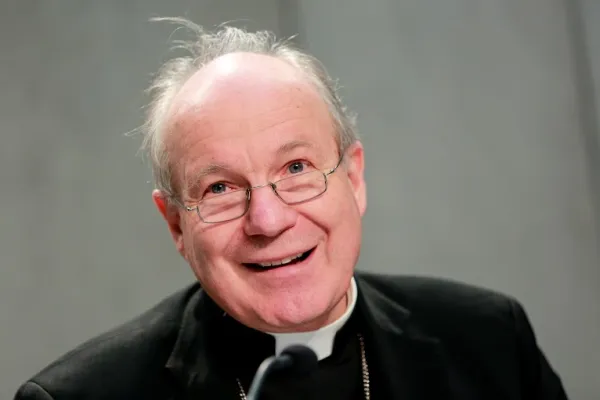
320, 341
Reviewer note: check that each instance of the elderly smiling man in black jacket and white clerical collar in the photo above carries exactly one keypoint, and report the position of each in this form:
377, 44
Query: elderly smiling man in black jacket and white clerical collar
259, 177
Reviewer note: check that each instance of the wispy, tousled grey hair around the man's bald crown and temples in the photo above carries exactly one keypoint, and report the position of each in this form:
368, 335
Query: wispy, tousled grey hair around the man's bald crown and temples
205, 47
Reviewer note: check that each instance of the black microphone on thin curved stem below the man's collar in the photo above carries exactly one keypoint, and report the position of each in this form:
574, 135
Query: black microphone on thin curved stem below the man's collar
299, 359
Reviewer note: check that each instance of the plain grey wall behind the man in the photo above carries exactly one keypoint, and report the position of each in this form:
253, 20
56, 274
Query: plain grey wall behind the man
480, 125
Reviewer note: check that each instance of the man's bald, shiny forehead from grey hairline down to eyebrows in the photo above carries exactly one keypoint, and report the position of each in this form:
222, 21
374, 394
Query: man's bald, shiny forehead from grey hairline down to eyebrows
245, 104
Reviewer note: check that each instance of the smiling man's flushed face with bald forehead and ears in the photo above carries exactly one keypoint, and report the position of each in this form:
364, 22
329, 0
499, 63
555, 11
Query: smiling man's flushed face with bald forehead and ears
246, 120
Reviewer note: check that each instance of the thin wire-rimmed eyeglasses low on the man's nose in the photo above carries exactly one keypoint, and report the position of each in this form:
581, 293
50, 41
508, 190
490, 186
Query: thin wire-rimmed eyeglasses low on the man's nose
296, 189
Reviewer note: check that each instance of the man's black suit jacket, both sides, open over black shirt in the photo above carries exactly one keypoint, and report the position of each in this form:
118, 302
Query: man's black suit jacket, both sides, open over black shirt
429, 339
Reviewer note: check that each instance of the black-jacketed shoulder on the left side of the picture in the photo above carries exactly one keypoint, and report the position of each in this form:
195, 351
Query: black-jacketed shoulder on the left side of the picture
107, 361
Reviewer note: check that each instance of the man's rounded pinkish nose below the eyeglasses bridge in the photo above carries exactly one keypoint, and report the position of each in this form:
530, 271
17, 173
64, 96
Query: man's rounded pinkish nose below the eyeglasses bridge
267, 215
